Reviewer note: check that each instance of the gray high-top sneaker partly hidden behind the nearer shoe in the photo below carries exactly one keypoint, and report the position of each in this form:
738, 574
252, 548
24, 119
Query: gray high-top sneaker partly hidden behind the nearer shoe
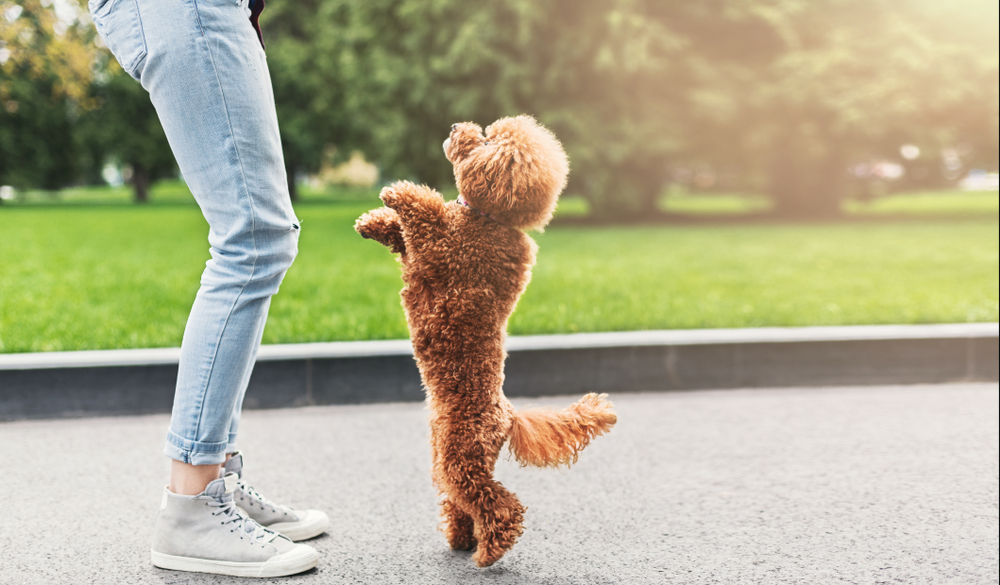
294, 524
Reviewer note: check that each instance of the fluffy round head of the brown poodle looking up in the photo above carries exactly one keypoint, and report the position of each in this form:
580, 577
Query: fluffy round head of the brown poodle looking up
515, 173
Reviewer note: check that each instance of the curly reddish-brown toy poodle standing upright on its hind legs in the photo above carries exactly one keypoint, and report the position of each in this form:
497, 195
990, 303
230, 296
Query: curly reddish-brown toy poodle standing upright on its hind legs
465, 263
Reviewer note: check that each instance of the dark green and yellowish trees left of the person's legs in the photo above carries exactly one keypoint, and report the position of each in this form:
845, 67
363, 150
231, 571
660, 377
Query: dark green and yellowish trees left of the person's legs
67, 106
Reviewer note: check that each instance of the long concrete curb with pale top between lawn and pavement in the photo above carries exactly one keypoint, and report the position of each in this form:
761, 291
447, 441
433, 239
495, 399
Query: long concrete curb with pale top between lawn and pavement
91, 383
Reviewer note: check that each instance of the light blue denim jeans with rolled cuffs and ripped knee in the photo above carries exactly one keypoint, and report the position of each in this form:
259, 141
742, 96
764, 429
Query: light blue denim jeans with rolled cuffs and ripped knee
206, 74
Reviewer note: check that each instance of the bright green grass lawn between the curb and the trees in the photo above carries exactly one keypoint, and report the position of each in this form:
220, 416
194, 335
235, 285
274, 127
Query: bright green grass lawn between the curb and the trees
97, 277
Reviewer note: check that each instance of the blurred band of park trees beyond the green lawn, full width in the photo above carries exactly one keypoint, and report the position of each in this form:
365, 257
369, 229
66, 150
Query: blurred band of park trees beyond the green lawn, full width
797, 106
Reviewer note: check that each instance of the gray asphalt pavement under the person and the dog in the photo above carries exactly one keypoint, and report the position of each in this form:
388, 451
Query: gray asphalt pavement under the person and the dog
819, 485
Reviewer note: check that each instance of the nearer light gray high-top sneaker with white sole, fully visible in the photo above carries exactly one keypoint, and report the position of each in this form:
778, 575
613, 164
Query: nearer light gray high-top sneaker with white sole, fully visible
207, 533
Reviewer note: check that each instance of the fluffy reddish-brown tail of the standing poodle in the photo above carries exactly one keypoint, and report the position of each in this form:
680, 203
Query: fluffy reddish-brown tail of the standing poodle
546, 438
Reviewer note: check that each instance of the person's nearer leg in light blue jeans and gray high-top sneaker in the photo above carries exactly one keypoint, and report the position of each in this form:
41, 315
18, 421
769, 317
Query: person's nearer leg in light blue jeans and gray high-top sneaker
205, 72
